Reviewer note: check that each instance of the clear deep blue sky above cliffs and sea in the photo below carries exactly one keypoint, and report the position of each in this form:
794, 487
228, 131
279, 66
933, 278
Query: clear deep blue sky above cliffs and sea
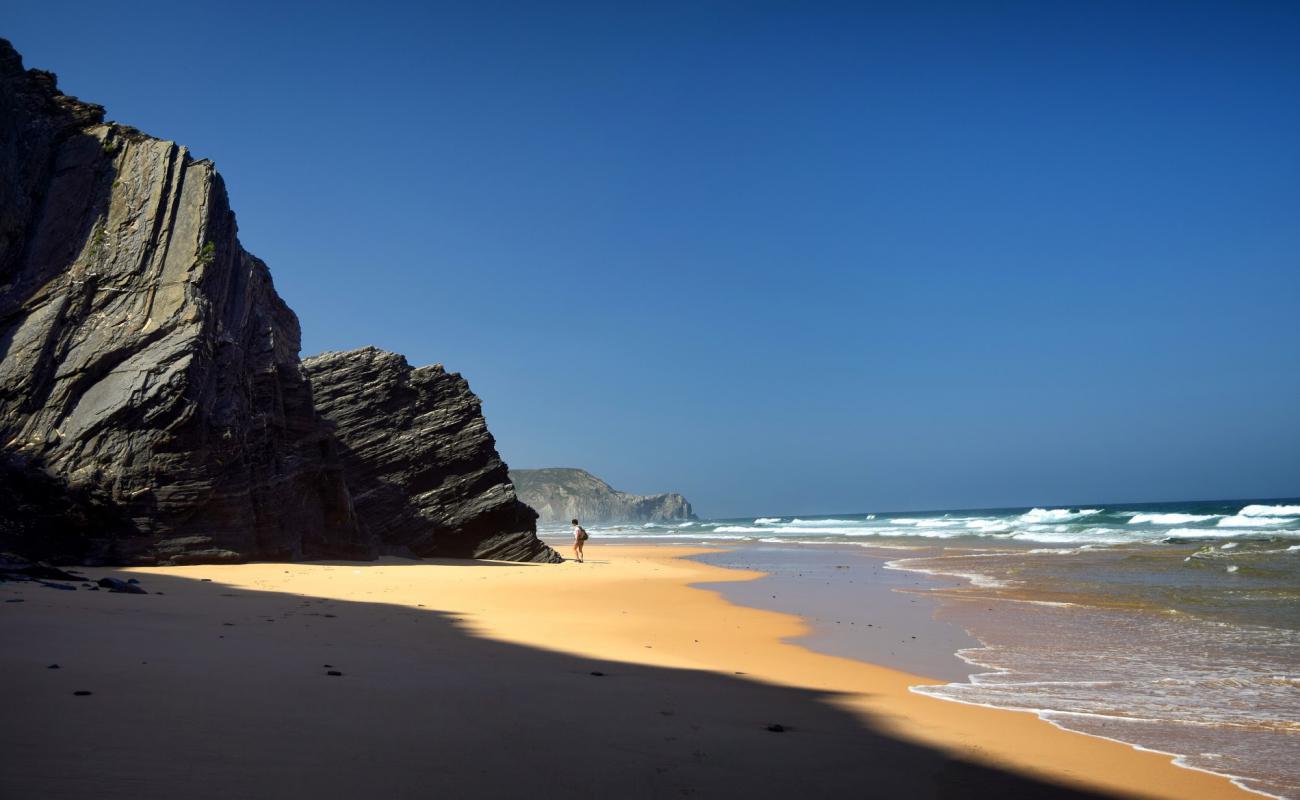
781, 257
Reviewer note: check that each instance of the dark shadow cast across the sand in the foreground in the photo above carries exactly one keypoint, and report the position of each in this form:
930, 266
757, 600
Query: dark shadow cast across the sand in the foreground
205, 690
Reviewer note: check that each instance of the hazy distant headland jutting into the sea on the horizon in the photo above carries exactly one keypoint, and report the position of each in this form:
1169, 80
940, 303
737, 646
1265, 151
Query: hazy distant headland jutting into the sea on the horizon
561, 495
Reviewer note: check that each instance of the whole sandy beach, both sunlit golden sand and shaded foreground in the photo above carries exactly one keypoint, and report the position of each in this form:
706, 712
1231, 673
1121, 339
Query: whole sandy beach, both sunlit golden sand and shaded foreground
613, 678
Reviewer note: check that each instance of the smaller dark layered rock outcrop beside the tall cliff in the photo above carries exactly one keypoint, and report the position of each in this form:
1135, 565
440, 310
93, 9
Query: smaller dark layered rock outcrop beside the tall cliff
423, 469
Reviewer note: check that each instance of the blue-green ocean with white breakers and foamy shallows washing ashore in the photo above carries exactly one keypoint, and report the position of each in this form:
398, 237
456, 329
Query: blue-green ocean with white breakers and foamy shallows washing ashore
1171, 626
